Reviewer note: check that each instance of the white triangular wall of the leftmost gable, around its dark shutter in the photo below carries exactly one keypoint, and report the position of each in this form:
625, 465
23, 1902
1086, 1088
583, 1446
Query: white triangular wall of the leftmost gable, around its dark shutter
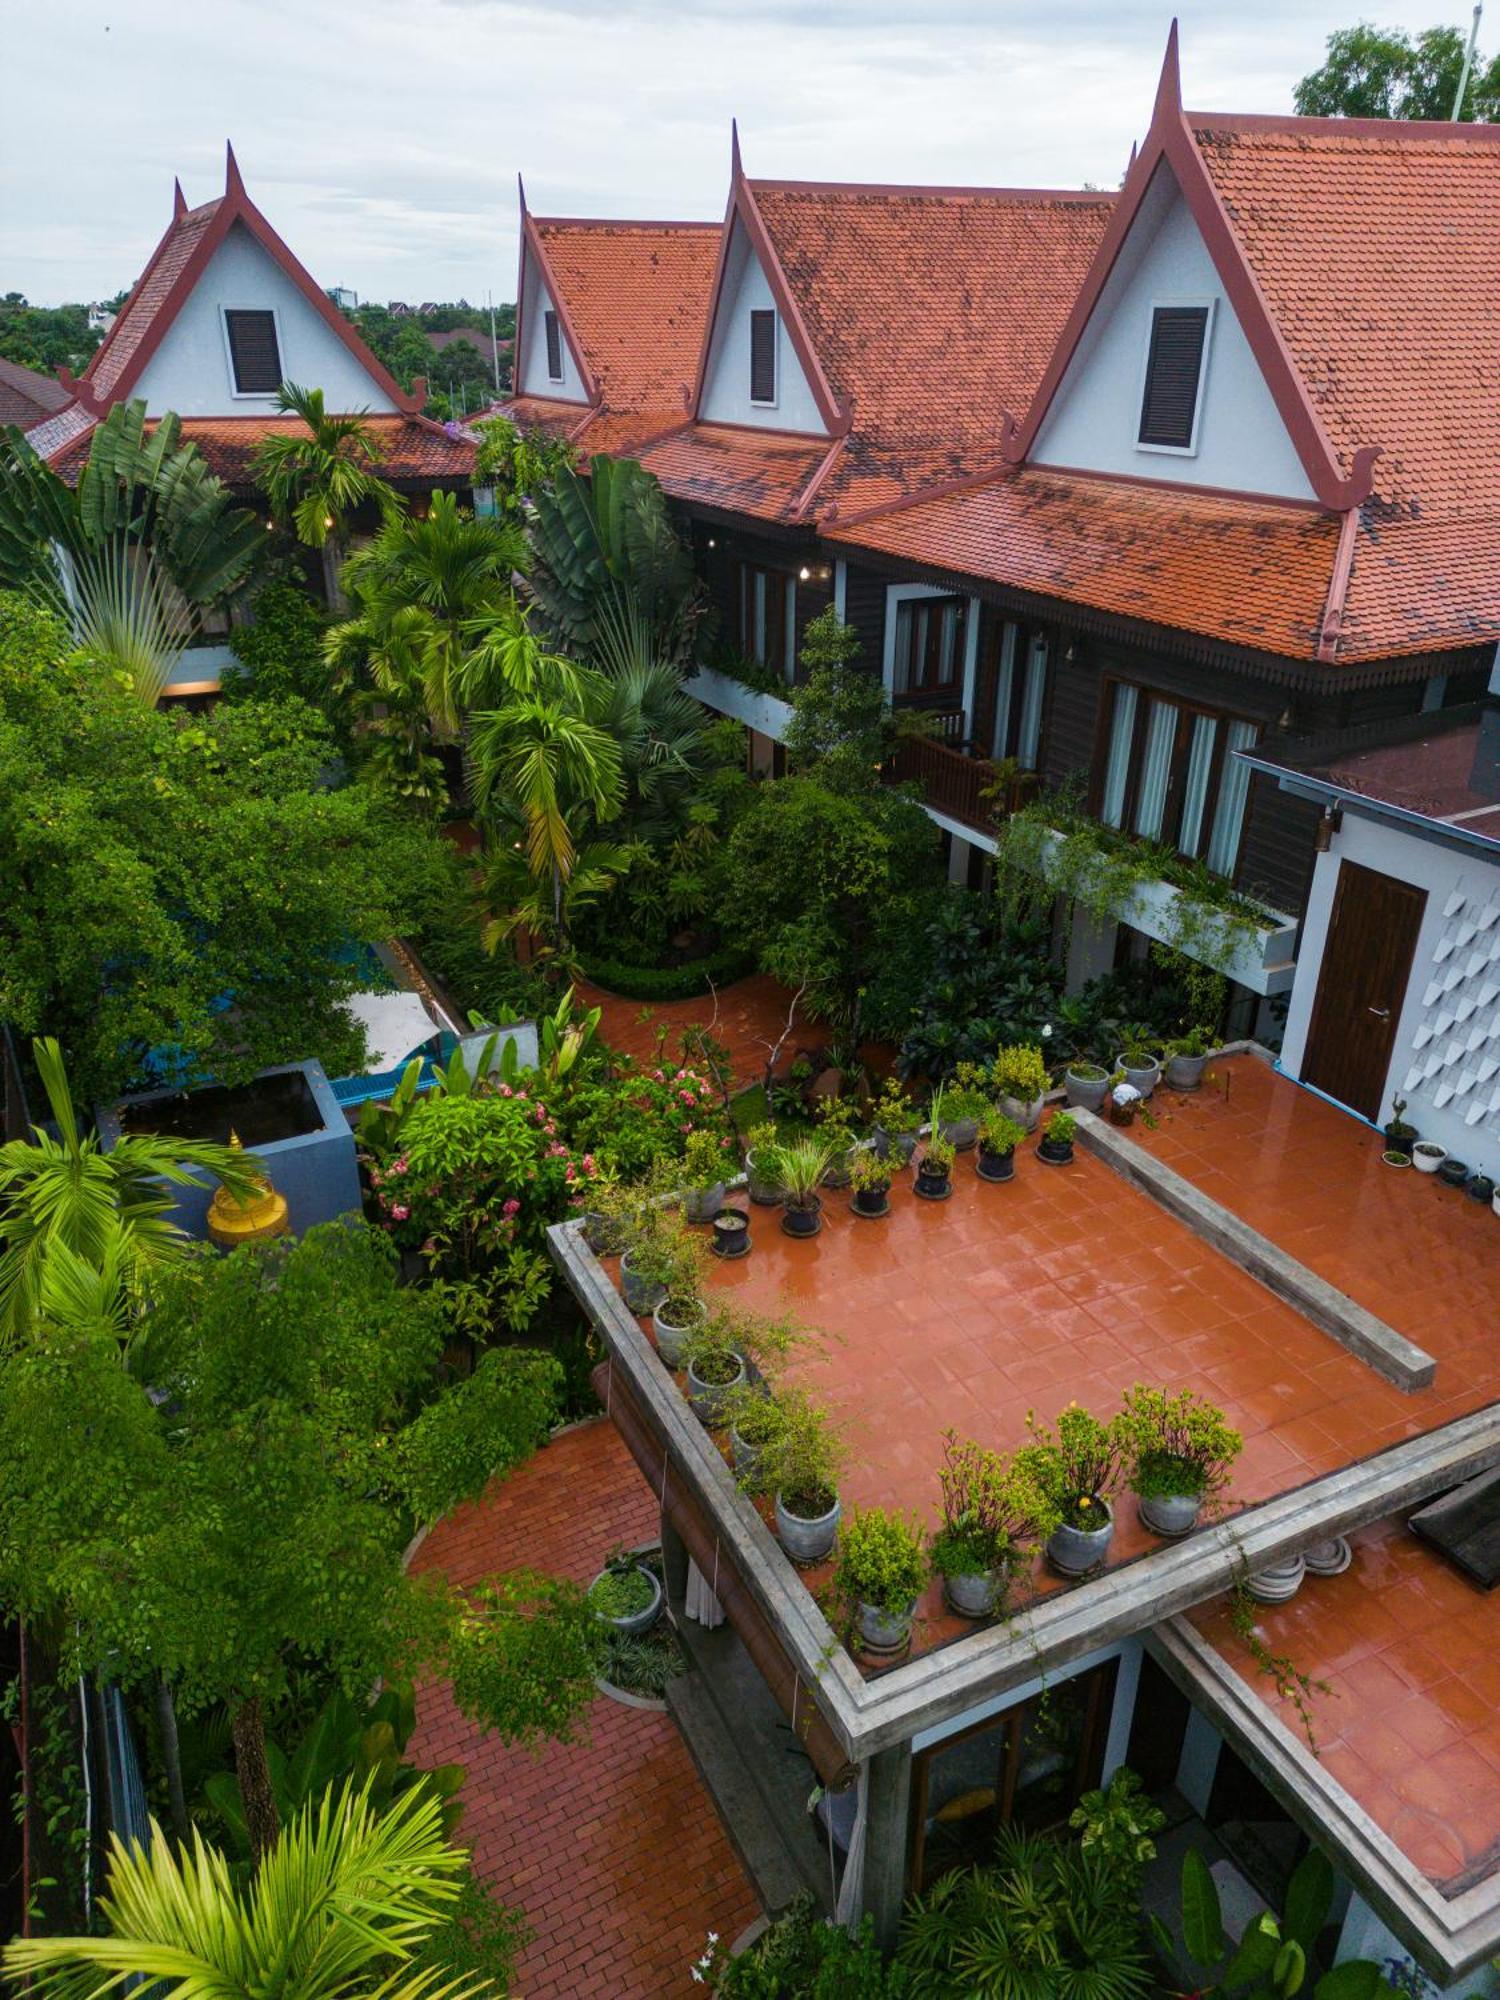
191, 369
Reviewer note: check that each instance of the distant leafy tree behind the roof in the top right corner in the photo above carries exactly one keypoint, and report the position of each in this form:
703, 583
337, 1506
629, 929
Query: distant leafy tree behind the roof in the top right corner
1383, 73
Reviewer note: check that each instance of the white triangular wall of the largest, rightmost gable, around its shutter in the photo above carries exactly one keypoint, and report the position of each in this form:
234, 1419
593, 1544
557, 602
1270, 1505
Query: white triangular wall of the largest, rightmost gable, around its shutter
1093, 425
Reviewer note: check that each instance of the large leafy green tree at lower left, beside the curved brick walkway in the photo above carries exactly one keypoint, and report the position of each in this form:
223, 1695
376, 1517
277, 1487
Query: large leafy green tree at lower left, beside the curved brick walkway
233, 1507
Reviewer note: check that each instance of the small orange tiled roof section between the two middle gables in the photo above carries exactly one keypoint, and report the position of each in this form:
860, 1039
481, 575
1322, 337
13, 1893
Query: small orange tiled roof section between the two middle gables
637, 295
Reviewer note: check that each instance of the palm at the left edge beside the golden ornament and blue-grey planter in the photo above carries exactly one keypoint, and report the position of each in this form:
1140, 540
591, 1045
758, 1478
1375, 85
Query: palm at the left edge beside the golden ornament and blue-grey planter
105, 1209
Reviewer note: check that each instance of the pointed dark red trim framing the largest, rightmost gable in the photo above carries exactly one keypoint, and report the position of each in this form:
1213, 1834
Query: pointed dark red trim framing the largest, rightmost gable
1171, 145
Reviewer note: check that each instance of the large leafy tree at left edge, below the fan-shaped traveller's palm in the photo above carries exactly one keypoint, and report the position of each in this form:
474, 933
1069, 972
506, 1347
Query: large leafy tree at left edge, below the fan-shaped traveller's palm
179, 895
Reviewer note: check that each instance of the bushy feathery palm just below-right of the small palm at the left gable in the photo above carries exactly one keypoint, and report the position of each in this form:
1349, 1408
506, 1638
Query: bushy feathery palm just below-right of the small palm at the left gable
423, 591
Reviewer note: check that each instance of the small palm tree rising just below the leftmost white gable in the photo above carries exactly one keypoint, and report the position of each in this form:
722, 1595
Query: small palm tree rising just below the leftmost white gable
319, 477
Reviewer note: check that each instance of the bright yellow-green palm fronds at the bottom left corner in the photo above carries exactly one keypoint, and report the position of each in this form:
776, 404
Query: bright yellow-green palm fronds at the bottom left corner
341, 1907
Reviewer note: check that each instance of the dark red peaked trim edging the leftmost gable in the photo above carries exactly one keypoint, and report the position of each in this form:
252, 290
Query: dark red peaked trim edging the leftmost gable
173, 275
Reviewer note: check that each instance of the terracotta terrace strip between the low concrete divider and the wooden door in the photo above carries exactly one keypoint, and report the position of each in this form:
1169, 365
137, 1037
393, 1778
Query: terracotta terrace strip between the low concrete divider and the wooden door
1311, 1177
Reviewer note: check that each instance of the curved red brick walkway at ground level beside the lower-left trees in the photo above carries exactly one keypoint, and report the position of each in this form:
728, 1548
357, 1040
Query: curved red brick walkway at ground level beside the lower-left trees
609, 1845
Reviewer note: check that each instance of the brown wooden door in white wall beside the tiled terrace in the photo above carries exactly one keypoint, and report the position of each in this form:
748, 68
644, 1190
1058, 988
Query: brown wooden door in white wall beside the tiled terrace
1363, 987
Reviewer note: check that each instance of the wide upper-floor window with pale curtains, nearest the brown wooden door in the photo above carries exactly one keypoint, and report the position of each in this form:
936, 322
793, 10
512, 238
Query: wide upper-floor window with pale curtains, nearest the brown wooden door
1171, 775
